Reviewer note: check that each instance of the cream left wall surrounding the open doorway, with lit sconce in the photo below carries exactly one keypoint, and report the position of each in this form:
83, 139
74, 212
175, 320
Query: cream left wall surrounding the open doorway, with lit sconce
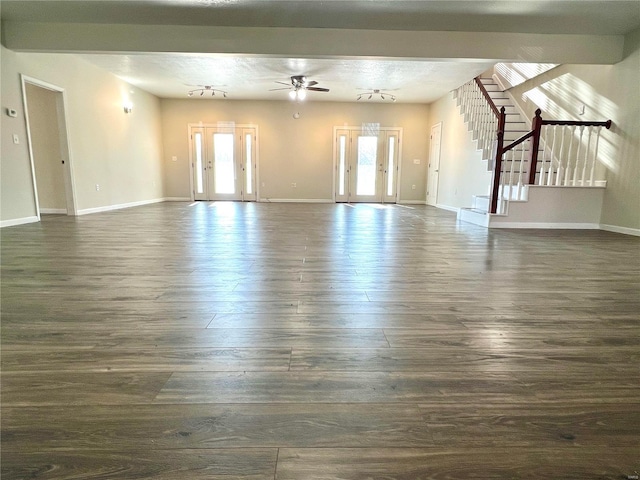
121, 153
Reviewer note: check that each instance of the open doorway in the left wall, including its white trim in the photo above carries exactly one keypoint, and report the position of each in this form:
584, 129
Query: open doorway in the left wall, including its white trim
53, 186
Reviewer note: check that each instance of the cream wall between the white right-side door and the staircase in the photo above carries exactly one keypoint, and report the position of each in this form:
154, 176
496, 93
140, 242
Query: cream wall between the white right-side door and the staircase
463, 173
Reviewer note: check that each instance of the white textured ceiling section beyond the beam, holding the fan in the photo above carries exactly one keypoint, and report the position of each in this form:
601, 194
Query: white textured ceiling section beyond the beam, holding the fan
243, 77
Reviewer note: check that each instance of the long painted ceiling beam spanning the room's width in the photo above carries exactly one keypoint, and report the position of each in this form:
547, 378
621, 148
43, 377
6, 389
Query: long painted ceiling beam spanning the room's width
312, 42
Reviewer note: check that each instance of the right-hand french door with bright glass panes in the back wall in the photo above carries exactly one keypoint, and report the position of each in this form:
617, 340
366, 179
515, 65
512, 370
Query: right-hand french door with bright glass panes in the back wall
367, 164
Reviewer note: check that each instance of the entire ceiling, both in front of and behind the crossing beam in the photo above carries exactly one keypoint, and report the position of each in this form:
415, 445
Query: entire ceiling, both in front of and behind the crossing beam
246, 76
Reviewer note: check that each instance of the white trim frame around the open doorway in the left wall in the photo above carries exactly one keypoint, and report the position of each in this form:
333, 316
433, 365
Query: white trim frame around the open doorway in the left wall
63, 135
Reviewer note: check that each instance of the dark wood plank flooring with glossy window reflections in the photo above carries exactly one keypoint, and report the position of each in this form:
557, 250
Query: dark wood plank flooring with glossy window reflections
316, 342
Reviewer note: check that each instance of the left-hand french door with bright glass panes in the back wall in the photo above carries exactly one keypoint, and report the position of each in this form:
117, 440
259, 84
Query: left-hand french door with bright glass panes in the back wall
224, 162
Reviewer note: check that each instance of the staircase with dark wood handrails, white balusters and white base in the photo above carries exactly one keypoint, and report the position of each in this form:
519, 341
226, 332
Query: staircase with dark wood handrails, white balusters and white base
526, 161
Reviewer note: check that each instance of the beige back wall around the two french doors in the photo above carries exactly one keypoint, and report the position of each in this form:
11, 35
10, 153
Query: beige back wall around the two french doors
295, 151
